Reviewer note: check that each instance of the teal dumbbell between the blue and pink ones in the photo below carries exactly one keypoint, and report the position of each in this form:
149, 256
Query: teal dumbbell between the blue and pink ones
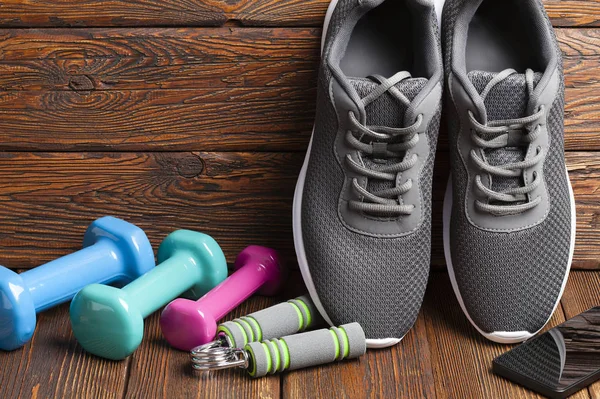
109, 322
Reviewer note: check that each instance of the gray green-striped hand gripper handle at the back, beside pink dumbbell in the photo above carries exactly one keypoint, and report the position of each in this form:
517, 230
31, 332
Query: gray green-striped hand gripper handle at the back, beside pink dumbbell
286, 318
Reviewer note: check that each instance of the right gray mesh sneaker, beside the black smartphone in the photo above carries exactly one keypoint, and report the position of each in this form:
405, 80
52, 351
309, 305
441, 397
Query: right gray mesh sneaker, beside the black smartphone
509, 213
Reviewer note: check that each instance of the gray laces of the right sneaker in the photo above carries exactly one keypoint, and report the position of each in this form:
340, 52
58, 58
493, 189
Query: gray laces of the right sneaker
495, 135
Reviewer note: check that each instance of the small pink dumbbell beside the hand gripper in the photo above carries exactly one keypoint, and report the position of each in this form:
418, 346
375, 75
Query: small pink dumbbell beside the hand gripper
187, 324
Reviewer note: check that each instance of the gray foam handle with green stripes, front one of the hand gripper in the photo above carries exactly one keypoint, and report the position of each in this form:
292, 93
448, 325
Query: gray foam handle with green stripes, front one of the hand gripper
307, 349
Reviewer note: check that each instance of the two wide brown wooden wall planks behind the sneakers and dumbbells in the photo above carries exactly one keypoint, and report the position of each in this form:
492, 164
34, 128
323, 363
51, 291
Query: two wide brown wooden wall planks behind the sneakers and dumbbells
201, 128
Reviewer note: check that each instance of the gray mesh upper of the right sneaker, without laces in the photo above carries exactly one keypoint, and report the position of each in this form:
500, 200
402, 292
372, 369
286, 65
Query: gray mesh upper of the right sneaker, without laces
508, 280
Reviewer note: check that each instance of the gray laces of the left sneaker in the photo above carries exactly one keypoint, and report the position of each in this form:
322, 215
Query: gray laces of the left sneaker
382, 143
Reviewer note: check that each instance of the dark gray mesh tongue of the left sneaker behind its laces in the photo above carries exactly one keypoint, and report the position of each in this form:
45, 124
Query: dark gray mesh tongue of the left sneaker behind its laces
386, 110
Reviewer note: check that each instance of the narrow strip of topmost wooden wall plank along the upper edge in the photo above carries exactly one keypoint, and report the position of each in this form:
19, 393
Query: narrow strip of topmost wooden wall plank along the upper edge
43, 13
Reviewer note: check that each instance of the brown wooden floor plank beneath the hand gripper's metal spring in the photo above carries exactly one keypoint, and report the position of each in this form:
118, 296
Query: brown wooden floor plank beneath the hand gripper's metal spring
158, 371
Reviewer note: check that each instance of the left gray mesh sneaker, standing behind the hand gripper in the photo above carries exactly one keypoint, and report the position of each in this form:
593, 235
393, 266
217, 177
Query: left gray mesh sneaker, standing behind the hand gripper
362, 208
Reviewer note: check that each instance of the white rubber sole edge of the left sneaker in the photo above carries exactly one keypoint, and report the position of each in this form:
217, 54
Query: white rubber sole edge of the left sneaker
297, 212
